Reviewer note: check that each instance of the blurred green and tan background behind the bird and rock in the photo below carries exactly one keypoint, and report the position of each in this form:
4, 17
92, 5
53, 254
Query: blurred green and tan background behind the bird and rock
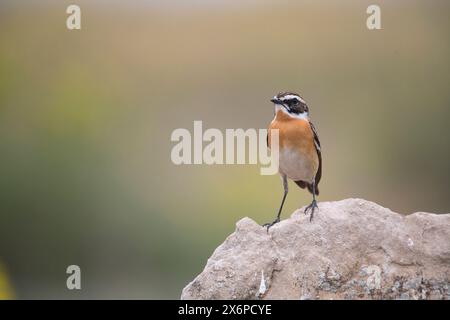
86, 118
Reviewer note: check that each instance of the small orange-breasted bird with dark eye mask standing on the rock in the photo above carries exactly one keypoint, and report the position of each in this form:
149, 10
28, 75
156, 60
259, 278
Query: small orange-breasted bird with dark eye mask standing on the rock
300, 157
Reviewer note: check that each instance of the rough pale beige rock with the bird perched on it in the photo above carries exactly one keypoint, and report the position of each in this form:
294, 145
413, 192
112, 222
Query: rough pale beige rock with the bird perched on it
353, 249
